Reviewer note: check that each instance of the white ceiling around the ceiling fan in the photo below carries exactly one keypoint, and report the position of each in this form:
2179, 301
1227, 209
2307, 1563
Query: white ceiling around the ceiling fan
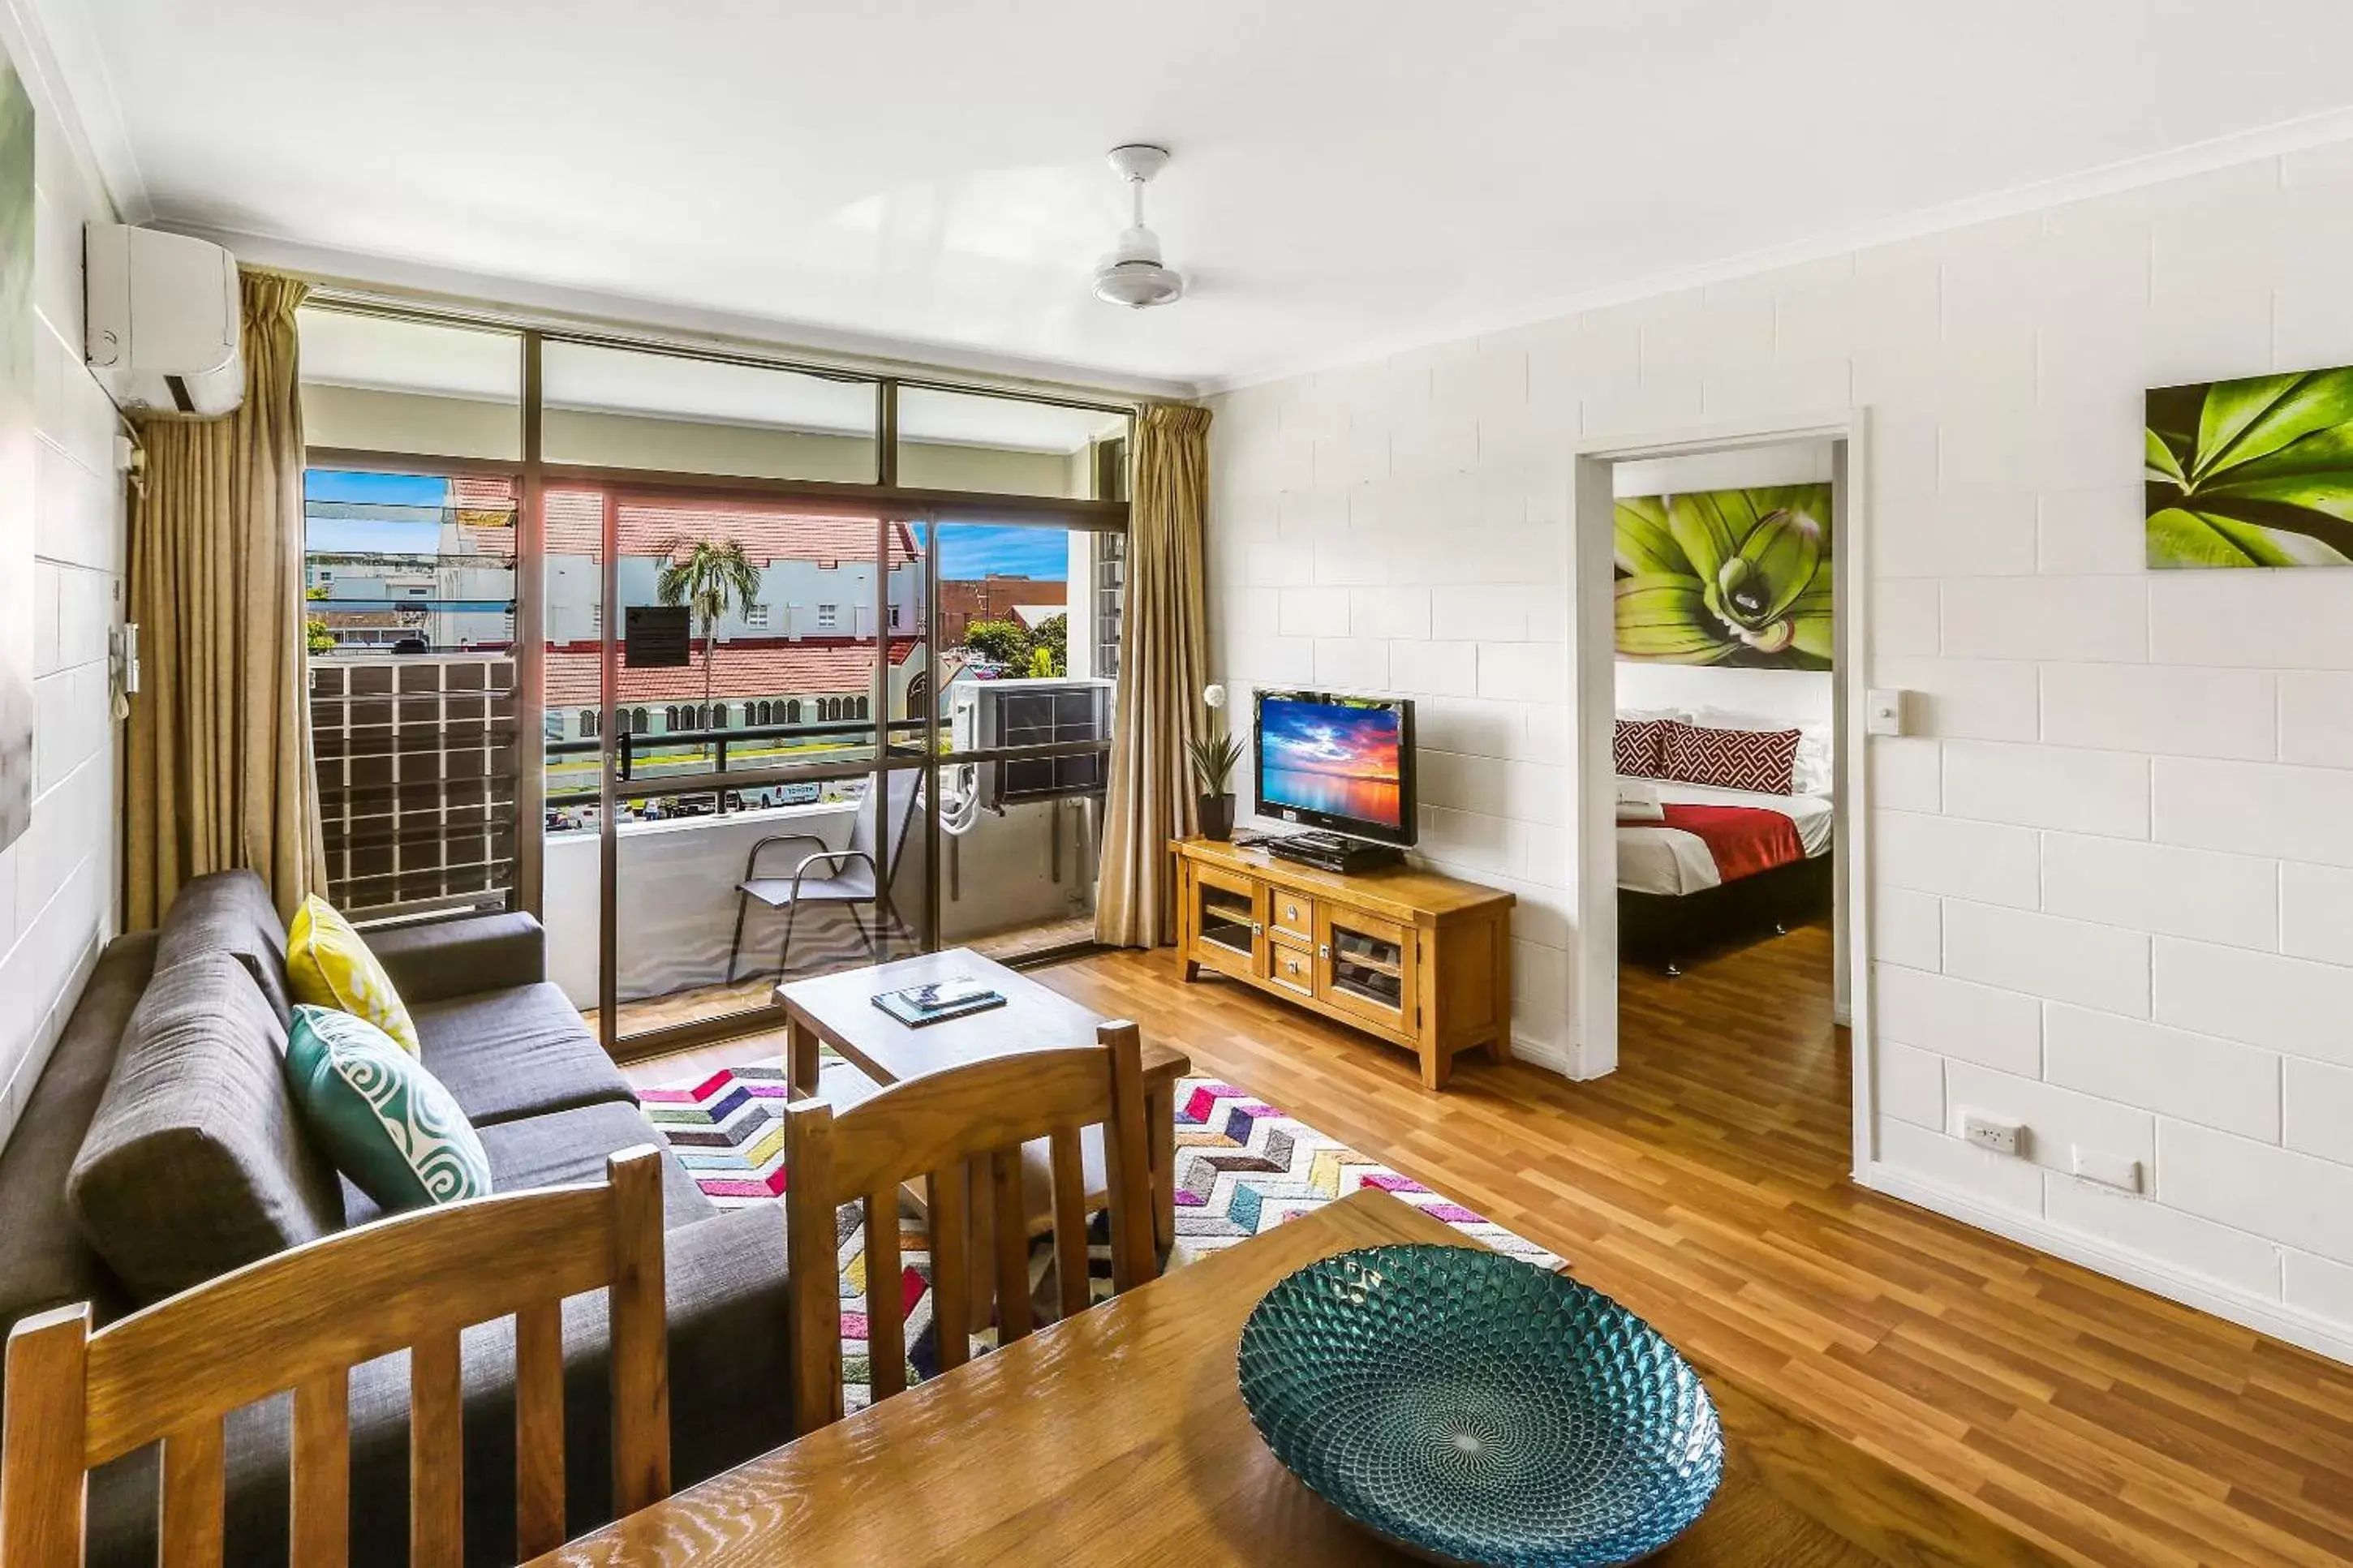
1352, 175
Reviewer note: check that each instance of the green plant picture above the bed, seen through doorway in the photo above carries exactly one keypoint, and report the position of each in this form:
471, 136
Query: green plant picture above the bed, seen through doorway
1726, 577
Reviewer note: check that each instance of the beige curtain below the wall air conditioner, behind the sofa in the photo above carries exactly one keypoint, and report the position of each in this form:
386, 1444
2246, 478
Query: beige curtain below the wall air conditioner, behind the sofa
220, 753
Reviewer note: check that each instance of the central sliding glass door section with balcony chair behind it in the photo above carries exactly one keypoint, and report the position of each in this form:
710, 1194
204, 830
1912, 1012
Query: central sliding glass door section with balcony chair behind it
719, 812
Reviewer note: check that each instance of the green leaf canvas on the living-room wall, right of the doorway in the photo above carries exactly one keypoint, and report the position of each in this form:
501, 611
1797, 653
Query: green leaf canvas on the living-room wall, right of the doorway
2253, 474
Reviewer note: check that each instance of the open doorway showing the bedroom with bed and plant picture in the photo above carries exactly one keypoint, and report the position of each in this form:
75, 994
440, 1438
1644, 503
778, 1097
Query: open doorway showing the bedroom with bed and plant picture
1721, 869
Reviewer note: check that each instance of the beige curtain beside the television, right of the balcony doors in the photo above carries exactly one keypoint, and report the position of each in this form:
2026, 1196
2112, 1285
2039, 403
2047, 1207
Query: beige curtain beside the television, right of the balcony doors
1164, 666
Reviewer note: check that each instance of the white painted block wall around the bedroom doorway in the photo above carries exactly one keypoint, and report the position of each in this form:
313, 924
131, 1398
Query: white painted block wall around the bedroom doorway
2114, 871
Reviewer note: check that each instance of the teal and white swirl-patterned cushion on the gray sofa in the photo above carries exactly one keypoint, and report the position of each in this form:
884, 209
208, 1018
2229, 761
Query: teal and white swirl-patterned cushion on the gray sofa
382, 1118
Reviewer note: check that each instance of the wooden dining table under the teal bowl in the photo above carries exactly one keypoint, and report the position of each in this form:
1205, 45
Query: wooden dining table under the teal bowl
1121, 1438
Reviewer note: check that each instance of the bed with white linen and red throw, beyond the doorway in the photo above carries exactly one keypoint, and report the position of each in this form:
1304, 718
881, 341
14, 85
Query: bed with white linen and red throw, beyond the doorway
1724, 866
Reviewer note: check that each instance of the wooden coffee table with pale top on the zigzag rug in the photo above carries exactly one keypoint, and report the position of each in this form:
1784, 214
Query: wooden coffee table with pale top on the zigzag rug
839, 1012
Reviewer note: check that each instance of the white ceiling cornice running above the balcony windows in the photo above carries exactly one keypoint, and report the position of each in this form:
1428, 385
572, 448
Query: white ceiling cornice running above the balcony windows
549, 304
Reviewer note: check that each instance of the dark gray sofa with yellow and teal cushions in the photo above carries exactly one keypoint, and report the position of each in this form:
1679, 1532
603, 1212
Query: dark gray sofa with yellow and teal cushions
159, 1148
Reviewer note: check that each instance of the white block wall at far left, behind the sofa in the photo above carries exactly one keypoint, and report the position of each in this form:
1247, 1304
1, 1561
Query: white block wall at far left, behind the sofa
58, 883
